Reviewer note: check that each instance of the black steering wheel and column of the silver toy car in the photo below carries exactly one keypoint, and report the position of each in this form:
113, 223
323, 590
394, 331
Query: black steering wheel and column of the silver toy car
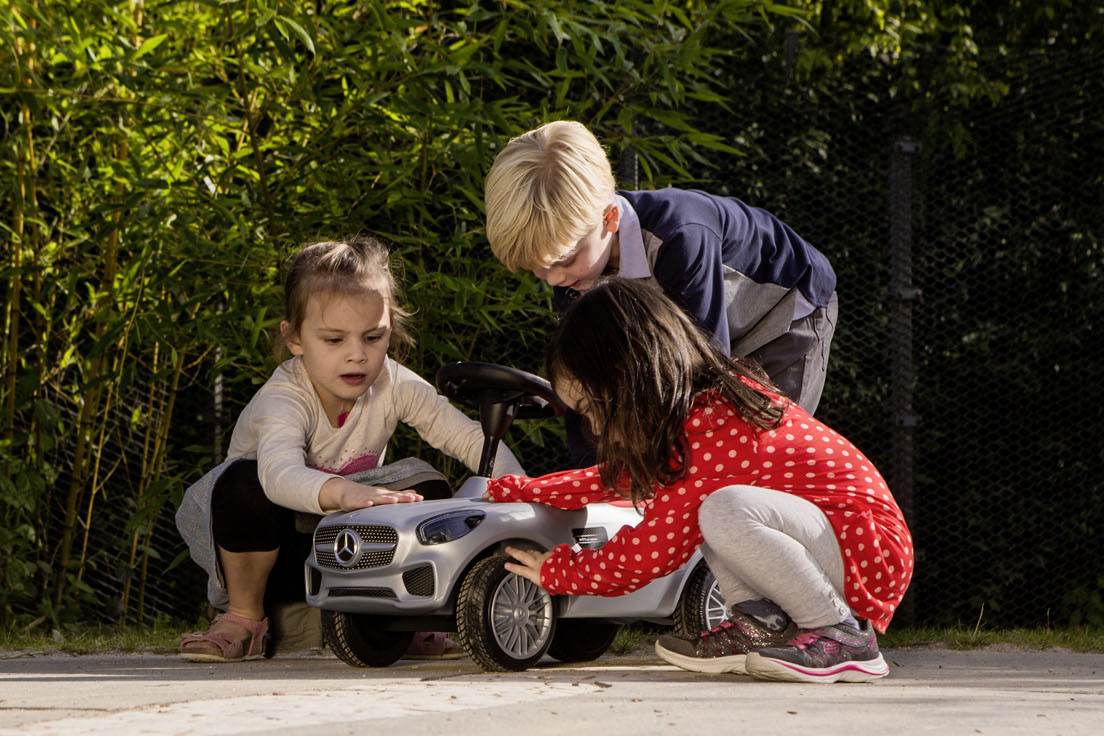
501, 394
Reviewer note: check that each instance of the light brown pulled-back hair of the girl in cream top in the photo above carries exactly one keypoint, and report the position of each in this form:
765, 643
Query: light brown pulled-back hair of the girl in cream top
355, 266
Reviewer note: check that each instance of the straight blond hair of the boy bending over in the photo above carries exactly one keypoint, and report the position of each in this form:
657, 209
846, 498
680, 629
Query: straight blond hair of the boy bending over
546, 190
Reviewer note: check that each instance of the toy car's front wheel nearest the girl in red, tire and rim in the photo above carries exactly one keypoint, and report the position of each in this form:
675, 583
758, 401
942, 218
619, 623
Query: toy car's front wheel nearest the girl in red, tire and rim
504, 622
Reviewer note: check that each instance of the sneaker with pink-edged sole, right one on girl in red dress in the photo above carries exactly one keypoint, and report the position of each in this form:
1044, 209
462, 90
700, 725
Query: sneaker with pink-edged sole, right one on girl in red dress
832, 654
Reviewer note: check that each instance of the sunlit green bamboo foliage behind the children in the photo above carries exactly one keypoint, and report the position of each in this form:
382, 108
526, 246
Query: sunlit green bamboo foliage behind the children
161, 161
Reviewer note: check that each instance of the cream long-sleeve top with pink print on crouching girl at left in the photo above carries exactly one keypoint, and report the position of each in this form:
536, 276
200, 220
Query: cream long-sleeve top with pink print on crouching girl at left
285, 429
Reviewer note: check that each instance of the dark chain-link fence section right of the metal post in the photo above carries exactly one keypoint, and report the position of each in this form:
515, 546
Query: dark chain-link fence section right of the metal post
1010, 365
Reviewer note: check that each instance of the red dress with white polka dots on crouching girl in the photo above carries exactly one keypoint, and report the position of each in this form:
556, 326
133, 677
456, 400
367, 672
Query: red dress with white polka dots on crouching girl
802, 457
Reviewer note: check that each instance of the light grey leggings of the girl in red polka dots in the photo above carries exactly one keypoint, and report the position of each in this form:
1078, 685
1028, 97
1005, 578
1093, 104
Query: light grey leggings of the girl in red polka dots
763, 543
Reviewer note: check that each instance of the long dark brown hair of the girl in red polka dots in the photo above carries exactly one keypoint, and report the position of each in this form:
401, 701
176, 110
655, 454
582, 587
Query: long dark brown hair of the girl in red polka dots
640, 362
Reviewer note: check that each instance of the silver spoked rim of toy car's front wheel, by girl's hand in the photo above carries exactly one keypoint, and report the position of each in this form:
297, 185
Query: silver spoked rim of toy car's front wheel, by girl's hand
522, 617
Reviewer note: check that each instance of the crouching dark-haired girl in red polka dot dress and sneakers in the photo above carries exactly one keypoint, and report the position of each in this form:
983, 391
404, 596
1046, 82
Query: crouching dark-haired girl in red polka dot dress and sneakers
808, 545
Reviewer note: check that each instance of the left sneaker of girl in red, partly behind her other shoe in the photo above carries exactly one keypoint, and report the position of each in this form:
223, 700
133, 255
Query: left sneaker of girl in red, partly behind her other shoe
724, 648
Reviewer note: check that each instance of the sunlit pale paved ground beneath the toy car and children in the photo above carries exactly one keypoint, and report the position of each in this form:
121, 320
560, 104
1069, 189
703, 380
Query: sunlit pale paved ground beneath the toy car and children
929, 691
